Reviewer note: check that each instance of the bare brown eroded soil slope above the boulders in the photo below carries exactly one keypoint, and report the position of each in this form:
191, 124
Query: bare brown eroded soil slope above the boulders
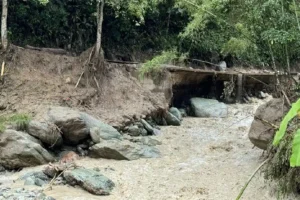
35, 80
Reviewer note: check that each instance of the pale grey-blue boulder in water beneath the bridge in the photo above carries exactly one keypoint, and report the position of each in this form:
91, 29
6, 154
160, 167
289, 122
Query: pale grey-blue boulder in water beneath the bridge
208, 108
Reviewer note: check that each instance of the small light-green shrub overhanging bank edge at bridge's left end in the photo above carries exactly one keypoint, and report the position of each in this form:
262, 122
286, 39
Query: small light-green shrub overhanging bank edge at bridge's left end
152, 67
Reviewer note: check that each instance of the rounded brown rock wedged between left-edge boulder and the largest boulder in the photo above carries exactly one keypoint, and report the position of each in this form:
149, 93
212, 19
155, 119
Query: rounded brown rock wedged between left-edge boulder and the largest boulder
48, 133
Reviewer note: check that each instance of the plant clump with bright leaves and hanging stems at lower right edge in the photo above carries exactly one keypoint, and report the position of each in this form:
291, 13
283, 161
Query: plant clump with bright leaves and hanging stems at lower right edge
285, 153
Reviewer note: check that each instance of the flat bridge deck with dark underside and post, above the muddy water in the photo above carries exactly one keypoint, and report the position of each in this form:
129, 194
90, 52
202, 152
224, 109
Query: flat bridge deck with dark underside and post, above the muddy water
243, 80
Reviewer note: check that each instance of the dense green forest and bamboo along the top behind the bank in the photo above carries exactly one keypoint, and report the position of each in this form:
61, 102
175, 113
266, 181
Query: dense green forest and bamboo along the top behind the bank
252, 32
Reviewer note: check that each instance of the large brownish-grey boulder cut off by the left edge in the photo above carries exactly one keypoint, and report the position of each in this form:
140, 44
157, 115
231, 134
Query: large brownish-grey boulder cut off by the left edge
18, 150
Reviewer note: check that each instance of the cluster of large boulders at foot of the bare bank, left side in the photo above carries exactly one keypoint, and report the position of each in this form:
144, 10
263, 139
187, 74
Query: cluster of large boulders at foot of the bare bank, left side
62, 126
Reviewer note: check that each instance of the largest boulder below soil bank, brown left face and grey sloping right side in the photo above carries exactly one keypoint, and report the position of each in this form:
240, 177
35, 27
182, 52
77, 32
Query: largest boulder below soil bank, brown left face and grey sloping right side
76, 125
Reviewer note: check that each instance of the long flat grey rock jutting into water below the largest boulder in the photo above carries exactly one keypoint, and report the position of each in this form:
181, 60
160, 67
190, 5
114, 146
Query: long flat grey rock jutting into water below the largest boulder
123, 150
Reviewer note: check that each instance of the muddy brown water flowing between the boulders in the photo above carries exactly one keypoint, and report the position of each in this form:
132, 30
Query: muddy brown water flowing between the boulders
204, 159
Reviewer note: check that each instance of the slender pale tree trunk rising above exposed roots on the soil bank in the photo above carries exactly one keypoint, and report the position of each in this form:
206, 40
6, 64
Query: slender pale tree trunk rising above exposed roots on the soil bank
100, 7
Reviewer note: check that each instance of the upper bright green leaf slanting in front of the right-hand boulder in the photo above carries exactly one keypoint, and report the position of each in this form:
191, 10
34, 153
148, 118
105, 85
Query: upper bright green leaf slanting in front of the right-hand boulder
283, 126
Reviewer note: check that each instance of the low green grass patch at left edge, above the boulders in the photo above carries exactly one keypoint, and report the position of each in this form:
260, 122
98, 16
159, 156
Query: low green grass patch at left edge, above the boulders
20, 121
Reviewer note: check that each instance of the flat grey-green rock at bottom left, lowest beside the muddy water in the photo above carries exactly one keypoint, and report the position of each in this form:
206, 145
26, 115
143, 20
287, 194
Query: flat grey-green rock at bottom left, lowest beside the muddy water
90, 180
